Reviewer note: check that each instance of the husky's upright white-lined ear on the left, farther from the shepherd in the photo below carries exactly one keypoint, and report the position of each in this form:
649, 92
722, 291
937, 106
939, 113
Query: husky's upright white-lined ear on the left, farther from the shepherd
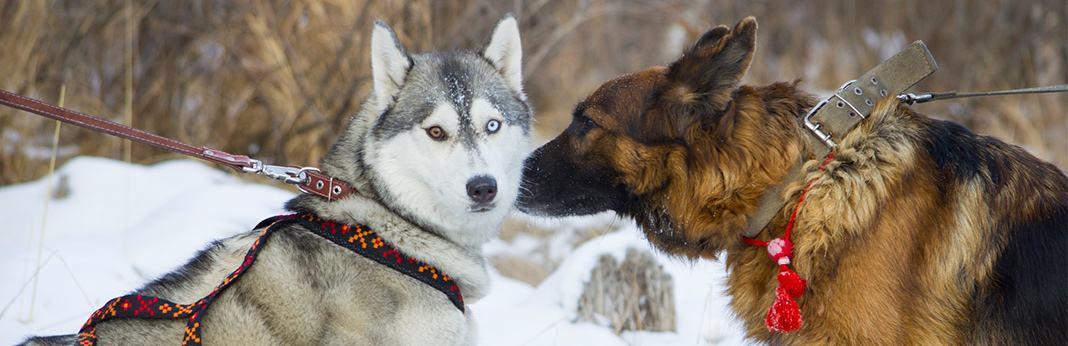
389, 62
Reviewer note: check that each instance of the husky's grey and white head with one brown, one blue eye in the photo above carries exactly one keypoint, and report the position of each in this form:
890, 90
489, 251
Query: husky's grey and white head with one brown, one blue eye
443, 138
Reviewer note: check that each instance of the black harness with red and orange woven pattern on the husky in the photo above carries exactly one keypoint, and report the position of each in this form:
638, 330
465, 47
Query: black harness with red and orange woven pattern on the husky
358, 239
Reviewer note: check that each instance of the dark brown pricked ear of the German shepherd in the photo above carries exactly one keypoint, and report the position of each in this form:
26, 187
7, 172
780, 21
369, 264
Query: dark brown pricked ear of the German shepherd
712, 69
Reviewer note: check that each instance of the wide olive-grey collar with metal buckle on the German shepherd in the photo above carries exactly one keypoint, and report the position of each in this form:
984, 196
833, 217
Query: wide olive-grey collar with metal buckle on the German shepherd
836, 117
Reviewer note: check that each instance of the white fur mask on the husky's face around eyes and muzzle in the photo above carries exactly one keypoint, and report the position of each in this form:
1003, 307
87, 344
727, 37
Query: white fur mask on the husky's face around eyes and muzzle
431, 177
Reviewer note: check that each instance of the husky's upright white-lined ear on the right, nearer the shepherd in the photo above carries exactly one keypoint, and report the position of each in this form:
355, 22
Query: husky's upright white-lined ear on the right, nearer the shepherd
506, 52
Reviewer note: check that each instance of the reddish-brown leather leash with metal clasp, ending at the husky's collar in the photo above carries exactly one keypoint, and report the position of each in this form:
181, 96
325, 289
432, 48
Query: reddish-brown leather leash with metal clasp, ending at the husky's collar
308, 180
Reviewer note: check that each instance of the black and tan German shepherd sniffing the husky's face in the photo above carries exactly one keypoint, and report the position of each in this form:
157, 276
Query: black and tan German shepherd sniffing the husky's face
917, 232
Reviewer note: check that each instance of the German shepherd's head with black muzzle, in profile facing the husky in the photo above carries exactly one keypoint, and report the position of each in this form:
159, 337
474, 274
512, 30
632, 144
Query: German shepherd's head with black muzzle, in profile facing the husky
682, 149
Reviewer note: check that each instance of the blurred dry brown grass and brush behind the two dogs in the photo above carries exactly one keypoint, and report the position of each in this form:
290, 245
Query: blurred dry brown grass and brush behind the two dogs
277, 80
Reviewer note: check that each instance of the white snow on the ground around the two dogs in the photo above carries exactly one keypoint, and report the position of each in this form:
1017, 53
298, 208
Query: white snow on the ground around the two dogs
114, 227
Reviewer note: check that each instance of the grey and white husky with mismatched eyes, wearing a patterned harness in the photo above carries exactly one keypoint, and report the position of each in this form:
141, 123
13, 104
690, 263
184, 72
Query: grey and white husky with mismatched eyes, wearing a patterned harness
435, 158
